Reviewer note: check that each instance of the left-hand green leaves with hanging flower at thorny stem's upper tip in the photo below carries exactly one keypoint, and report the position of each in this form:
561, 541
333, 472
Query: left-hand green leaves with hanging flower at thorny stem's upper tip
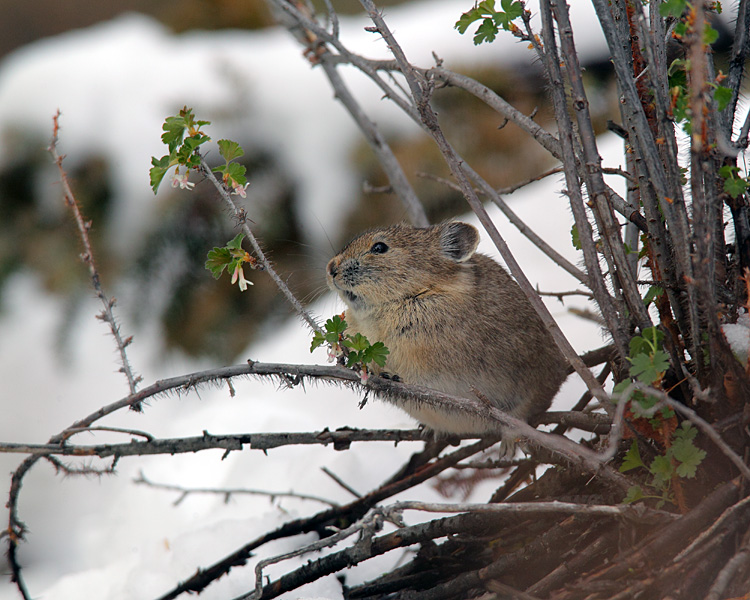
182, 136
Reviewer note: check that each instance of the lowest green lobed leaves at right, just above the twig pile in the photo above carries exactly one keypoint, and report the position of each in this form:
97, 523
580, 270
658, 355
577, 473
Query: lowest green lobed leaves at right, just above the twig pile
681, 459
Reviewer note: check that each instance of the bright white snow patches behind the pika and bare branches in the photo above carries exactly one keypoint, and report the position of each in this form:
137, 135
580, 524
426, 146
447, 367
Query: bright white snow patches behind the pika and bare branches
115, 83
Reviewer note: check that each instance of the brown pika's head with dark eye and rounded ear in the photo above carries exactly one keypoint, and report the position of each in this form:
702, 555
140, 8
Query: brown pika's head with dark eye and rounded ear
399, 262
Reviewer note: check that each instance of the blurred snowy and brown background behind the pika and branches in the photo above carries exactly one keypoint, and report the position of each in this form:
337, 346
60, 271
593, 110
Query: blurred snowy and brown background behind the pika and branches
115, 71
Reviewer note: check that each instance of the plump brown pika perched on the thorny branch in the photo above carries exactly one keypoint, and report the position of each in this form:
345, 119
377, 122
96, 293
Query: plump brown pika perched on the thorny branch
453, 320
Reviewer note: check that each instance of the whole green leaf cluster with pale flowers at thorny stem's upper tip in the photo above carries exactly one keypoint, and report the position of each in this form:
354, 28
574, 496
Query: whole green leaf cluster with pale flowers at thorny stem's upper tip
183, 136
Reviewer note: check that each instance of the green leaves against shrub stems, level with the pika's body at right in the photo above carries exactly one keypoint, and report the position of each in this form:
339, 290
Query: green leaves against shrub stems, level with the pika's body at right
648, 364
